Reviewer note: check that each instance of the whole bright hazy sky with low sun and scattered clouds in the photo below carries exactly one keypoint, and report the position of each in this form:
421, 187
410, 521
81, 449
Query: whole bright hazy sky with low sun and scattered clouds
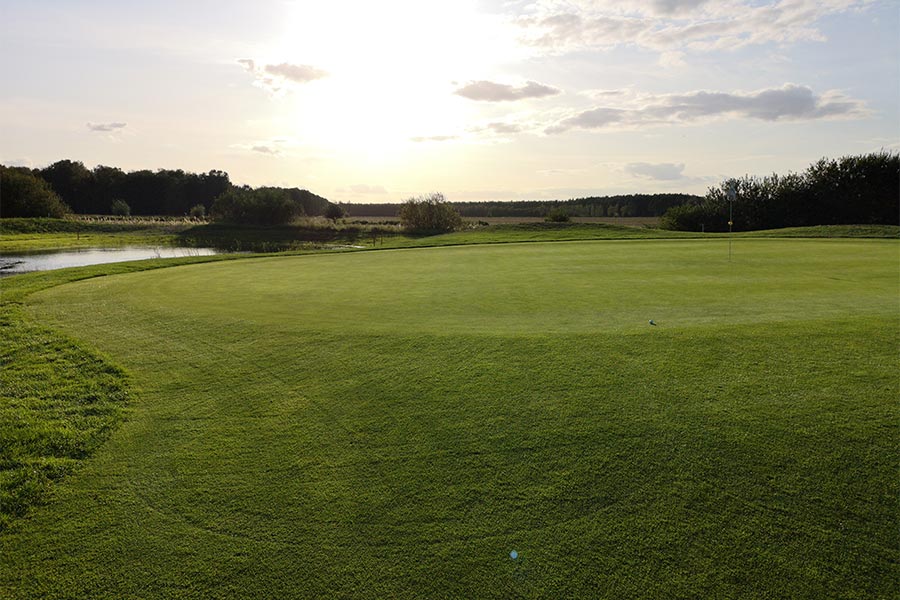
362, 101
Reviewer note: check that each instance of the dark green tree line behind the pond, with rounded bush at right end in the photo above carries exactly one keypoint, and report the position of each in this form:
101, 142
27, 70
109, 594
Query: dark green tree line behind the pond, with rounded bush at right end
107, 190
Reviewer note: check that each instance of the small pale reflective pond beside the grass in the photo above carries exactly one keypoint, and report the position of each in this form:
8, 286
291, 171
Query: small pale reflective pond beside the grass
11, 264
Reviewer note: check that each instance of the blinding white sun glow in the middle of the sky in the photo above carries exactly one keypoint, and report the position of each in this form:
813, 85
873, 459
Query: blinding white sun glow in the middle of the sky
388, 81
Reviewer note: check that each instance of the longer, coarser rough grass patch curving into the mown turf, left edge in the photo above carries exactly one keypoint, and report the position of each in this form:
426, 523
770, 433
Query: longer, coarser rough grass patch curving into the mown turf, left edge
59, 403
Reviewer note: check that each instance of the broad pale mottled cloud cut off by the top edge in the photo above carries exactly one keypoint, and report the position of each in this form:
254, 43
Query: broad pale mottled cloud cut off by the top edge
666, 25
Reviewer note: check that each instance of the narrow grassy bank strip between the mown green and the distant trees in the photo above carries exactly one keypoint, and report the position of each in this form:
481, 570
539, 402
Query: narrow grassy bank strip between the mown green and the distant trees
24, 235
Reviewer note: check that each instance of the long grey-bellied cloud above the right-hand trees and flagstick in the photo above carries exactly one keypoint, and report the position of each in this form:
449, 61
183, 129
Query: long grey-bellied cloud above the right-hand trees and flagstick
790, 102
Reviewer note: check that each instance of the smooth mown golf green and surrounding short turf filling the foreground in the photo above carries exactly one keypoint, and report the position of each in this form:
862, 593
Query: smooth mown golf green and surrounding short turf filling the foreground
395, 423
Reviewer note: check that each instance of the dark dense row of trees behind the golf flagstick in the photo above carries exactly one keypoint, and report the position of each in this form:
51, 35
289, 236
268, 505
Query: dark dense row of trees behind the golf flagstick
851, 190
